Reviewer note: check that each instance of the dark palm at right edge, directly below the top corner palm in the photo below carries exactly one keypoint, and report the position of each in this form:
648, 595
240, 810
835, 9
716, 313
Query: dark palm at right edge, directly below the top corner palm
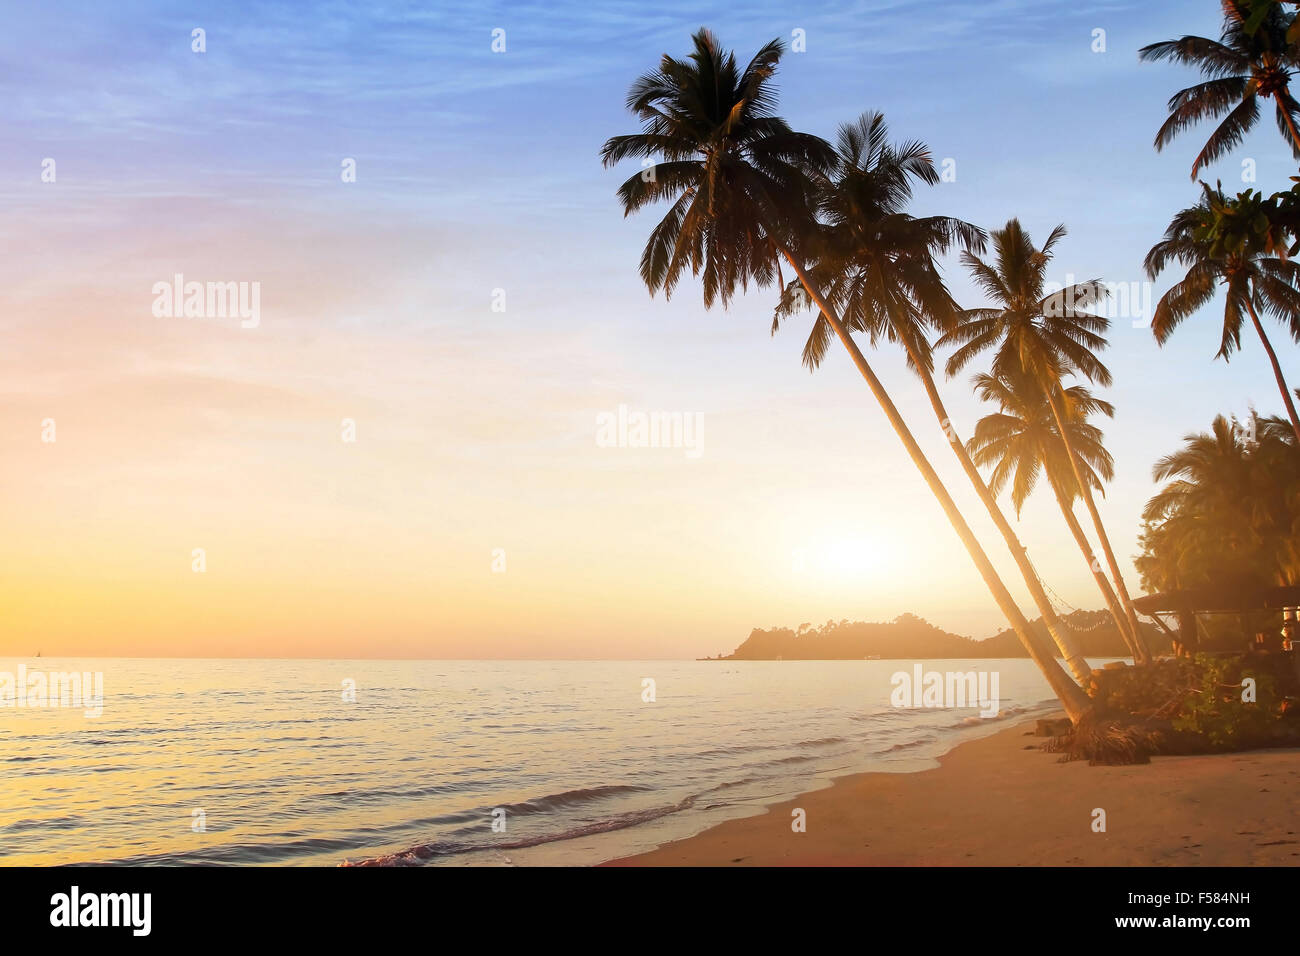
1254, 282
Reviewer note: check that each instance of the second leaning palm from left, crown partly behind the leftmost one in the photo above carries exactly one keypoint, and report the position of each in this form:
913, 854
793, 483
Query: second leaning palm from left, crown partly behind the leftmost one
876, 265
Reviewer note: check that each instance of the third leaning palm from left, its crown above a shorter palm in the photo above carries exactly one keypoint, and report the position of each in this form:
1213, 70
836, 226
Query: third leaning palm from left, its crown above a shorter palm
1046, 338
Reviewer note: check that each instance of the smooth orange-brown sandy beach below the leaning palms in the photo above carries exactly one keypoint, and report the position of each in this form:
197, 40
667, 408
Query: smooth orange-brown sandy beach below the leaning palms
1000, 802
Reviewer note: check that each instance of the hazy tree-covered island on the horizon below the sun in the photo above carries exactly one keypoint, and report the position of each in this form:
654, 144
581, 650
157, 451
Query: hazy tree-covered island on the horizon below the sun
909, 637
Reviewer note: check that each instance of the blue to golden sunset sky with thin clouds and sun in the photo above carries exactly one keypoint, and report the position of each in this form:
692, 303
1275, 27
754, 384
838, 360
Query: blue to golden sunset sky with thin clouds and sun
470, 308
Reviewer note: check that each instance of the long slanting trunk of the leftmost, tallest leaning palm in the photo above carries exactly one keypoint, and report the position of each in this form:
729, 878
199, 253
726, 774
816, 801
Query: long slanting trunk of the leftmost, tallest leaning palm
1077, 704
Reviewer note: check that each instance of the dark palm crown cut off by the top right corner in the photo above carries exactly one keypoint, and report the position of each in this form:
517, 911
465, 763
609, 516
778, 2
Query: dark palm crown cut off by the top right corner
1242, 67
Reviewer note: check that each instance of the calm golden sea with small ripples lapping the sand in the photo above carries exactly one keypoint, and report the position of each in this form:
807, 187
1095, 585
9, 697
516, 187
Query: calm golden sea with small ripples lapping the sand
267, 762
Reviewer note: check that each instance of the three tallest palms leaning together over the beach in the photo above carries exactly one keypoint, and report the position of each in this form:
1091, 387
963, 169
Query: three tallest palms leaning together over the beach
749, 196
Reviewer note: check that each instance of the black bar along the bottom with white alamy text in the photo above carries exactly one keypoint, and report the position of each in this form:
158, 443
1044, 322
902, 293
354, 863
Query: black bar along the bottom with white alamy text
384, 906
